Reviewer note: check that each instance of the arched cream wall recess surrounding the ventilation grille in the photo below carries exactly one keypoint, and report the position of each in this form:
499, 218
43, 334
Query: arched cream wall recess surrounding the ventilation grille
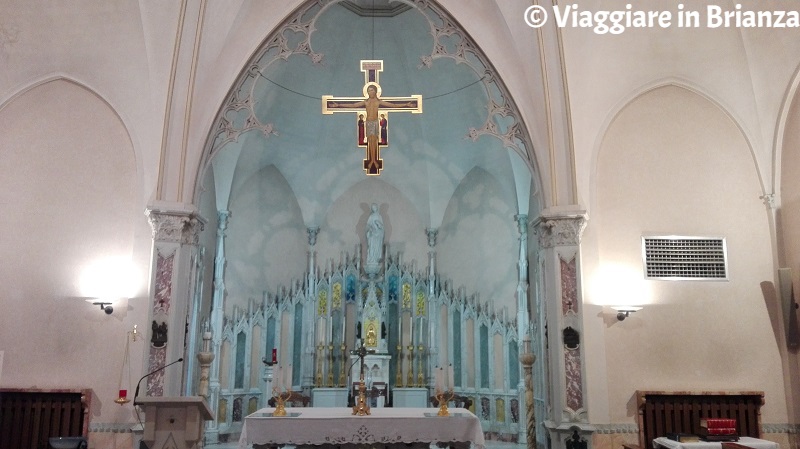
673, 163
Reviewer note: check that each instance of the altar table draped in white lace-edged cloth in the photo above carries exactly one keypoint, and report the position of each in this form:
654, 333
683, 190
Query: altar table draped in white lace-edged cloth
329, 426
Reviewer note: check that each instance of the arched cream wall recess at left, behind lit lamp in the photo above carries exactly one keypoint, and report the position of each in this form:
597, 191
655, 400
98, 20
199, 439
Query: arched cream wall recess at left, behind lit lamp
69, 195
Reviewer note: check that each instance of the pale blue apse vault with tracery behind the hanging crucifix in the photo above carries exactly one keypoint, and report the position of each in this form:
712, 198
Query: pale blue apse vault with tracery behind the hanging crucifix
273, 114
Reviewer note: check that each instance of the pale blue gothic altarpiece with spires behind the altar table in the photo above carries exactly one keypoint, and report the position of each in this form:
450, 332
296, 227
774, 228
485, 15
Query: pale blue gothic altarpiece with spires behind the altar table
410, 322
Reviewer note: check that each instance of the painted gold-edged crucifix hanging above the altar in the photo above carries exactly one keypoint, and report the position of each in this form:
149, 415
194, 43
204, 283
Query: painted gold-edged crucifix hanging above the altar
372, 112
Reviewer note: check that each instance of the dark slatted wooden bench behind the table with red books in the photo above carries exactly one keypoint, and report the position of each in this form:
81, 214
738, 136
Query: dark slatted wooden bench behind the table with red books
663, 412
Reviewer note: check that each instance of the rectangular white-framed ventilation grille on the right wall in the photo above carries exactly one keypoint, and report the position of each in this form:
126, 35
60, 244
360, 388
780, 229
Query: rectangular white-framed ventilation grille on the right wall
674, 257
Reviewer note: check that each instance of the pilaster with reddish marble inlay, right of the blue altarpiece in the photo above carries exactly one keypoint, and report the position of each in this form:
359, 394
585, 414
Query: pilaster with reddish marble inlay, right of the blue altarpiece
559, 238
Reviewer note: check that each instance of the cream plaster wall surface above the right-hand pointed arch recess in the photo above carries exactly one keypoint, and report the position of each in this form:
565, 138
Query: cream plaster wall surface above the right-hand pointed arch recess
746, 70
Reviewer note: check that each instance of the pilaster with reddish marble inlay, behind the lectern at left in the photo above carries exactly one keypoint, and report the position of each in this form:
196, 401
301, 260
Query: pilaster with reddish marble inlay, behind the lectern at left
176, 234
